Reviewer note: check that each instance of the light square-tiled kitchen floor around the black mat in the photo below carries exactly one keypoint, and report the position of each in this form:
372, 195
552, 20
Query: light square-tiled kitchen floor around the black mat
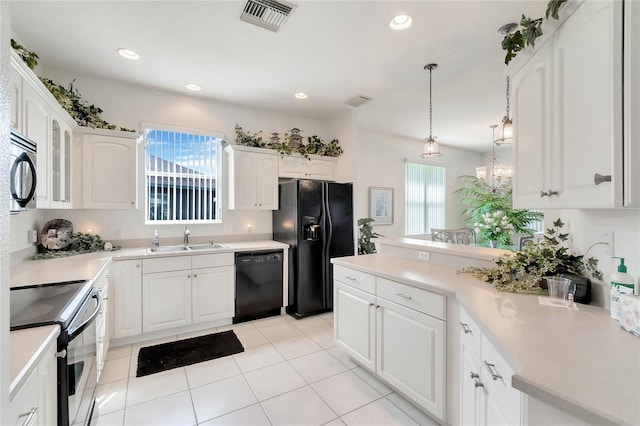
290, 373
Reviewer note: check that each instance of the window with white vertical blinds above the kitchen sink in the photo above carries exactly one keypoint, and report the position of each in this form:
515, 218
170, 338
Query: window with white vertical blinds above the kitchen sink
182, 168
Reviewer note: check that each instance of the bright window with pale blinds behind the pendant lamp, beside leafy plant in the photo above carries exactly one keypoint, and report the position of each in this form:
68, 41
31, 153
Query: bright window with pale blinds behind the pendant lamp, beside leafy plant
425, 198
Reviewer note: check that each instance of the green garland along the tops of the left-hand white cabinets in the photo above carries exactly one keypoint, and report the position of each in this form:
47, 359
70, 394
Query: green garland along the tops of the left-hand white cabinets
85, 114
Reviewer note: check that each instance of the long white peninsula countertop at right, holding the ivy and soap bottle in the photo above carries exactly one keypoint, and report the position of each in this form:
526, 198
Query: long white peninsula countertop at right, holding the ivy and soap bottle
581, 362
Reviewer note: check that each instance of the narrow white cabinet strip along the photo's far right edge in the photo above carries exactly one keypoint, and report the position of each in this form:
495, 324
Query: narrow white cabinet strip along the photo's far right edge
631, 107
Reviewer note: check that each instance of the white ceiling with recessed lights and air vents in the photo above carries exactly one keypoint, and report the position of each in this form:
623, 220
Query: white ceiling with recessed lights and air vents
332, 50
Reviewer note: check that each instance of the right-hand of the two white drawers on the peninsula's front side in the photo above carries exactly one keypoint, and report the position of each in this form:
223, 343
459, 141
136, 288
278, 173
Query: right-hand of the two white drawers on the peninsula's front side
412, 297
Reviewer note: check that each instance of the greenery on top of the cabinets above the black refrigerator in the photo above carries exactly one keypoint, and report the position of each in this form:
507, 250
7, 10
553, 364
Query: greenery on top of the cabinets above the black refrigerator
292, 143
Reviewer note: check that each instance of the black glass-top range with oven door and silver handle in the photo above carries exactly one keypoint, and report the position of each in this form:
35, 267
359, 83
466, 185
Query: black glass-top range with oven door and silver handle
74, 305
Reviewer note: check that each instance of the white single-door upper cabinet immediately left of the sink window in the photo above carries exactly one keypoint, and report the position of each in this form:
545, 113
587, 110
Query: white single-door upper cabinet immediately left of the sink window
110, 169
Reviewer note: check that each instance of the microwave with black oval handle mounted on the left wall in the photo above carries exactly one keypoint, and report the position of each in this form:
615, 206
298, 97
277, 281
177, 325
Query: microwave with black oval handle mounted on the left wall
23, 175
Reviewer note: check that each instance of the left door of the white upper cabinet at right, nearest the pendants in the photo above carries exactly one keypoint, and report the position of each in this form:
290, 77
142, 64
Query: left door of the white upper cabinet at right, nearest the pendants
532, 161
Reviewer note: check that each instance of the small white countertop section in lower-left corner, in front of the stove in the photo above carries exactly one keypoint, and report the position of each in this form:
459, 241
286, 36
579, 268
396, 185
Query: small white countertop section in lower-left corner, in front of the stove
27, 347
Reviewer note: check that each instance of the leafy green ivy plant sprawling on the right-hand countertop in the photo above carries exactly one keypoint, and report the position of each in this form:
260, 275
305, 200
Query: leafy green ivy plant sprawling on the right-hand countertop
523, 271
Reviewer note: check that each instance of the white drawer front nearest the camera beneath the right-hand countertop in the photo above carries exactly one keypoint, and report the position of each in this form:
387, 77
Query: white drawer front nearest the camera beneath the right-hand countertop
498, 374
